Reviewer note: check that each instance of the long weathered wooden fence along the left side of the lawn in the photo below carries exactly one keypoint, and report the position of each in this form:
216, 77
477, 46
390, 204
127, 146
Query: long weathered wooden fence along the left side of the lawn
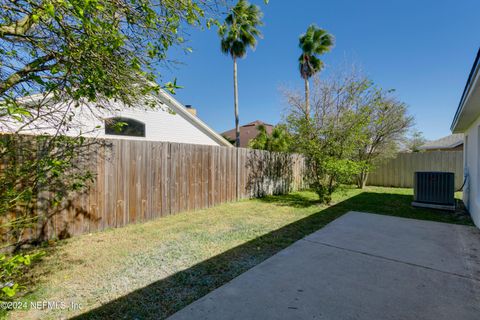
140, 180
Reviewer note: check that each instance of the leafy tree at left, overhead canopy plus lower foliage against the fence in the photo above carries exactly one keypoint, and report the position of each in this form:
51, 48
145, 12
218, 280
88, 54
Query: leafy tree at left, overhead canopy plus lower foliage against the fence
70, 52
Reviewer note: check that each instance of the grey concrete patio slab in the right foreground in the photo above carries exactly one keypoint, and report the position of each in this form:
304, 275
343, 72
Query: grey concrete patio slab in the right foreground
361, 266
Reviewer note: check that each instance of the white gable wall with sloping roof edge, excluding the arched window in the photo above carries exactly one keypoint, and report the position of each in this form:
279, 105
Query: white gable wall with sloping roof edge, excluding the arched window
176, 124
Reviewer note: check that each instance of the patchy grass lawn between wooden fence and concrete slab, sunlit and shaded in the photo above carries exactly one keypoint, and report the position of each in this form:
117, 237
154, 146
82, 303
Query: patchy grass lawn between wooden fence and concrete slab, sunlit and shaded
154, 269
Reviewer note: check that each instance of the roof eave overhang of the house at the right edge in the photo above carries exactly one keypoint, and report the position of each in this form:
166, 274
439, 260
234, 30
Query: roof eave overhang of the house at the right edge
469, 108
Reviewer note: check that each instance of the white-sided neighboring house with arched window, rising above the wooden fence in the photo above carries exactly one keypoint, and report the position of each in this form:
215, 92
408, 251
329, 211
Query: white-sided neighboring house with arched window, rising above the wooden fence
163, 118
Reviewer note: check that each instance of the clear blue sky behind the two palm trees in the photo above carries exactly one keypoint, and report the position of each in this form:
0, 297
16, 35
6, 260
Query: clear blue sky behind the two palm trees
423, 49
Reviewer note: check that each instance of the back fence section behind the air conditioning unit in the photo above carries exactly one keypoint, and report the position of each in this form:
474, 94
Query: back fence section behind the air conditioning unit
398, 172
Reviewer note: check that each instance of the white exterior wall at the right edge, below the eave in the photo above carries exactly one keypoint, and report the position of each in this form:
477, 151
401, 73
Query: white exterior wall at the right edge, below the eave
471, 191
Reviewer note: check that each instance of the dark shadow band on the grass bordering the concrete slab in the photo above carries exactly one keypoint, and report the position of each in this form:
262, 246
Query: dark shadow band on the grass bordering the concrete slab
164, 297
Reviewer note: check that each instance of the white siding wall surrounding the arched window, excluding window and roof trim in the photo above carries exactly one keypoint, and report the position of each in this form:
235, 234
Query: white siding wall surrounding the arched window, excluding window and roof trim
162, 123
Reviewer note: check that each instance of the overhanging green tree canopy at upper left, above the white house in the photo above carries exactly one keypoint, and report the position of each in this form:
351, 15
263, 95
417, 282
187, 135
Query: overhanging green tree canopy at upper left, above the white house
88, 48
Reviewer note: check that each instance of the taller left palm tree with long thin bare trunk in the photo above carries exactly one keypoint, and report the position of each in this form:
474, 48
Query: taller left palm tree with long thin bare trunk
238, 33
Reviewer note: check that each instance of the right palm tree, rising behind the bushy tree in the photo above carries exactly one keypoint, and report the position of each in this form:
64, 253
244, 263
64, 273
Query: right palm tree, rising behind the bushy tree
314, 42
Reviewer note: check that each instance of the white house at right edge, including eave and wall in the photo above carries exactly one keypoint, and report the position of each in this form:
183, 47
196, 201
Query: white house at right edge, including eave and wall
467, 122
